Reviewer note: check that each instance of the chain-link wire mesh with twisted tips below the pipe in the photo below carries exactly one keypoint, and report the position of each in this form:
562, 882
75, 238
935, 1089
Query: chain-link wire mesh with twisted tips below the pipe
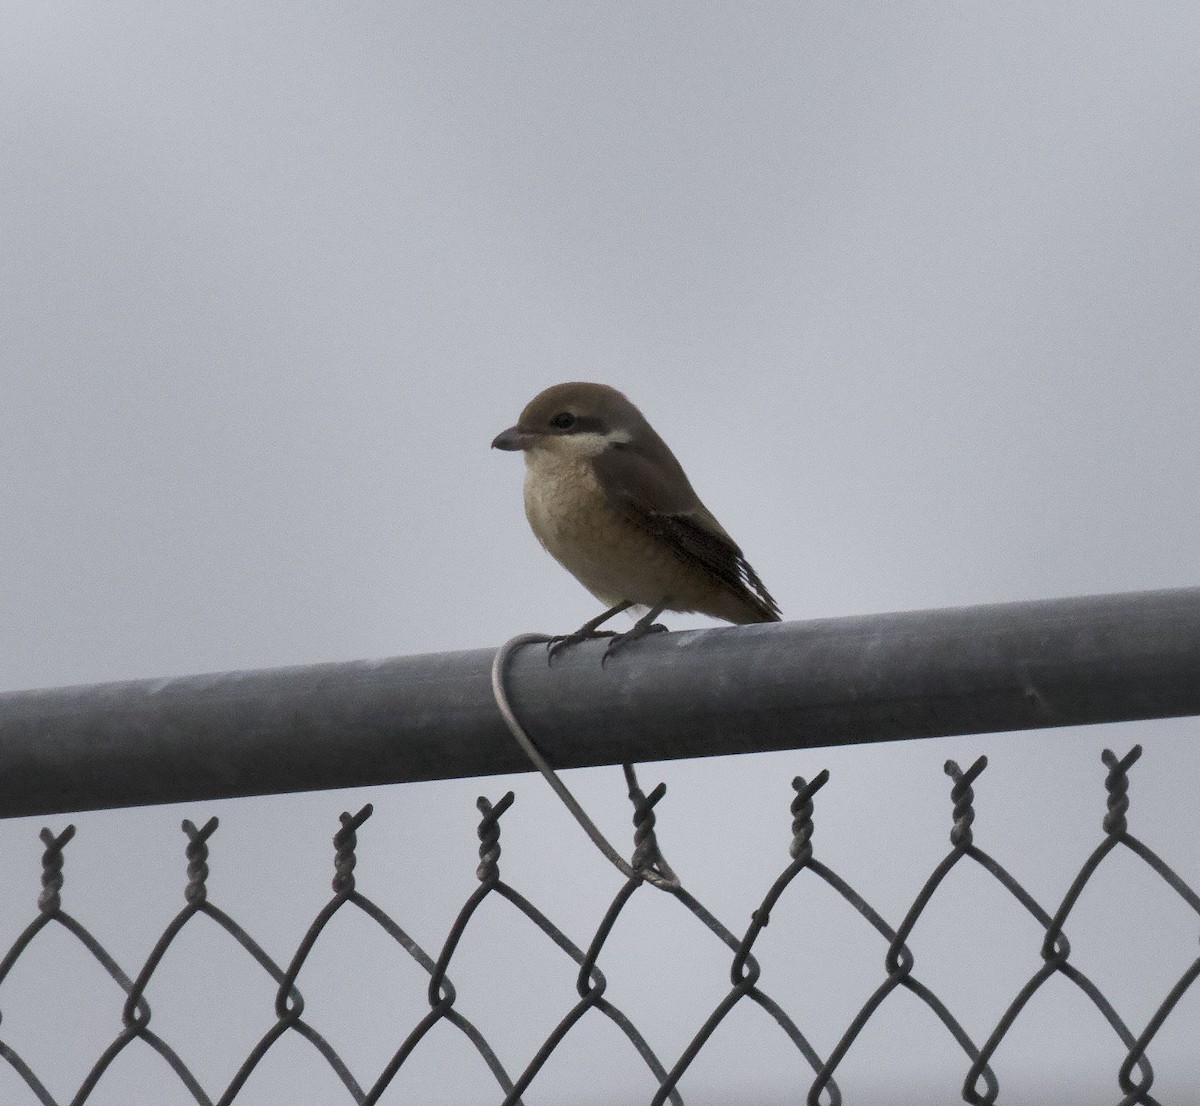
1133, 1078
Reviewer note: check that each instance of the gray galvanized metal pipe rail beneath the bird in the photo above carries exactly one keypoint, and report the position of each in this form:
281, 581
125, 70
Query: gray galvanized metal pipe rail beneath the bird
697, 694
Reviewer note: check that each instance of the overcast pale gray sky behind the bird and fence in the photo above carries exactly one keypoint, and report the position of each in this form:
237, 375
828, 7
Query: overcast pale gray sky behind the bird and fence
911, 291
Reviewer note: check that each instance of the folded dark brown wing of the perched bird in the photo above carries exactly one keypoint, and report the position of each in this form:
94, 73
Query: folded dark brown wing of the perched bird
655, 495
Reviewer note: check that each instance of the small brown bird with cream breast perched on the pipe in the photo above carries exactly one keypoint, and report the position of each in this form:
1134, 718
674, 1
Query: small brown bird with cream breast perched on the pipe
609, 501
